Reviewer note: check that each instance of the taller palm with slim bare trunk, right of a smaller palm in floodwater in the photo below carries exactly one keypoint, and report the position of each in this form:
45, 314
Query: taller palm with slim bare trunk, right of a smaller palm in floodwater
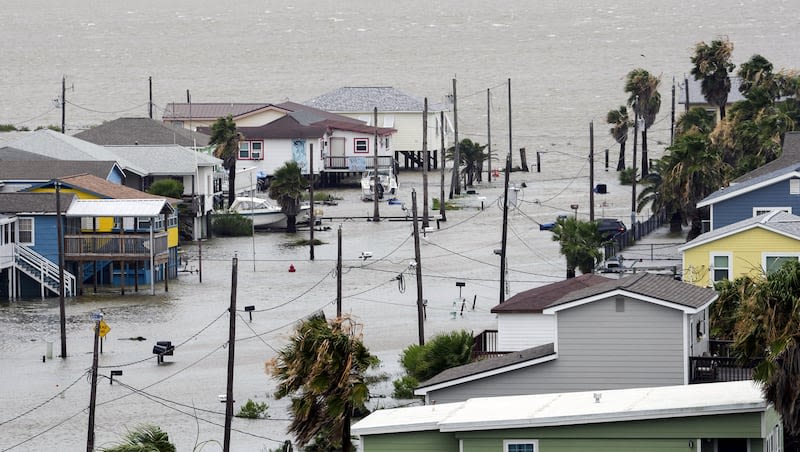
646, 102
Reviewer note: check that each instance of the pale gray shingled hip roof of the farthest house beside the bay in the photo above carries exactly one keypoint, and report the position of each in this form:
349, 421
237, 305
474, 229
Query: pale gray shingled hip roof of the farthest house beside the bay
364, 99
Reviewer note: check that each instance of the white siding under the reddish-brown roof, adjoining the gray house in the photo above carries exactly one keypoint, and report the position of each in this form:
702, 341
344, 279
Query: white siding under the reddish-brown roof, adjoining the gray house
518, 331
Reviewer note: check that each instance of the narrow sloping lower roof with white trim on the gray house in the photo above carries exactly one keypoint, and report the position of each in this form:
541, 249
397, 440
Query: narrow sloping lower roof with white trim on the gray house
487, 367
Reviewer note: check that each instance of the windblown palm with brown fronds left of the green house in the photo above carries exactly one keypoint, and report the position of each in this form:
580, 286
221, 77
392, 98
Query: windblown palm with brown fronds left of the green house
322, 370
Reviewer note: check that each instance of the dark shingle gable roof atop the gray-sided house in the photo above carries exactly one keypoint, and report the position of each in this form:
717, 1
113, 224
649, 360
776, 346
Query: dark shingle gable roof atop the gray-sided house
660, 287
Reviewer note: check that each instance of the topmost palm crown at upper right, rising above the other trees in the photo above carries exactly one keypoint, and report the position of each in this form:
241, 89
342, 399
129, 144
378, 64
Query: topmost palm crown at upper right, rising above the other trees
712, 64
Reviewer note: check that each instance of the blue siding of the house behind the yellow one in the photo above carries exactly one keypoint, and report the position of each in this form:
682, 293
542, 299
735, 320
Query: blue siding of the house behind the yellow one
740, 207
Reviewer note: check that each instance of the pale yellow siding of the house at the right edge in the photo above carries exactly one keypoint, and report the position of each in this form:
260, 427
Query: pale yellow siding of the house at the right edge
746, 247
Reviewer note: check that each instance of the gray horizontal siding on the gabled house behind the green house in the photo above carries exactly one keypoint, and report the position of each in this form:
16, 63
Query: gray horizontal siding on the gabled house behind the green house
598, 348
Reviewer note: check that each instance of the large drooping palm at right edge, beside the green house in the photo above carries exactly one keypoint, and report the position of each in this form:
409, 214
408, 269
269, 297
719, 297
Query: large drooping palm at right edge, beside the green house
767, 325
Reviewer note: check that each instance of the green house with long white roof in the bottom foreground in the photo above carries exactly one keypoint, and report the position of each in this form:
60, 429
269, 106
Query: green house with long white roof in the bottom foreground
719, 417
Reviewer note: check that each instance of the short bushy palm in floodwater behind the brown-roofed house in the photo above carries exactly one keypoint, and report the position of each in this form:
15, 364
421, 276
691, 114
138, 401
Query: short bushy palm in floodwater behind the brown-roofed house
580, 242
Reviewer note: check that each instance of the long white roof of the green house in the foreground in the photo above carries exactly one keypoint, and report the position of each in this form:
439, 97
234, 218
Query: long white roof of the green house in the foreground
571, 408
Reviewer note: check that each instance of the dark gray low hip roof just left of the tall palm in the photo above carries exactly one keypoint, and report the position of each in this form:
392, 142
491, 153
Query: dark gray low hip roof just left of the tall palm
142, 131
